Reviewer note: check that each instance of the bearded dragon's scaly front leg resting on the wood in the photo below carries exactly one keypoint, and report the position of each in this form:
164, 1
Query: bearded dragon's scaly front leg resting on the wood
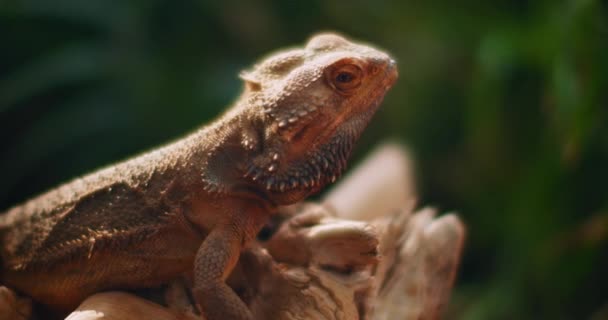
214, 262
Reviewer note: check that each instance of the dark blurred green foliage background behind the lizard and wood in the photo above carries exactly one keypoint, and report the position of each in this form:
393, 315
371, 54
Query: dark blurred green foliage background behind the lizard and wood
505, 104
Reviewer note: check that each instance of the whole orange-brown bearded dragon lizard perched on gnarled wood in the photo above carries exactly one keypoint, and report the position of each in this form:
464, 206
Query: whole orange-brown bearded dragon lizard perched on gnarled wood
191, 206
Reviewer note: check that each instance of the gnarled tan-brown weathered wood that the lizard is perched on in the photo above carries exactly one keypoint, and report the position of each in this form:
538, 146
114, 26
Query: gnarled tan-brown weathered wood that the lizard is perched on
360, 254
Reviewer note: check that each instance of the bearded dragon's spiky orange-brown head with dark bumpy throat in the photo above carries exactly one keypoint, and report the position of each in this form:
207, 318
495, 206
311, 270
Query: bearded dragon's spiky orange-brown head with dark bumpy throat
313, 103
